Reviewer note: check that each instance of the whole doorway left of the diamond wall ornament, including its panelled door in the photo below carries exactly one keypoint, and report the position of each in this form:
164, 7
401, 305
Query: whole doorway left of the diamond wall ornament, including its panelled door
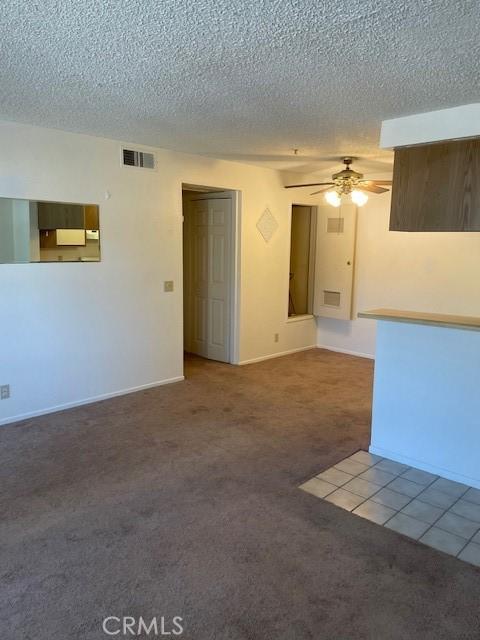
210, 272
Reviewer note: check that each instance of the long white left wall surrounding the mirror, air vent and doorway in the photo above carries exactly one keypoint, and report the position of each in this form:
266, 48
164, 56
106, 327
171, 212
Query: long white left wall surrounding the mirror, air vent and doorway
71, 332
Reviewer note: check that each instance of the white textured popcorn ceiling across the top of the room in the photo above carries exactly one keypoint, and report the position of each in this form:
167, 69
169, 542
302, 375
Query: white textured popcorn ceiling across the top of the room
246, 80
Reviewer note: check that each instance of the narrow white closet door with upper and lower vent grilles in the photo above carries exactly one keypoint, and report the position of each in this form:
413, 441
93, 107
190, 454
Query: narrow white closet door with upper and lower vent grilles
335, 253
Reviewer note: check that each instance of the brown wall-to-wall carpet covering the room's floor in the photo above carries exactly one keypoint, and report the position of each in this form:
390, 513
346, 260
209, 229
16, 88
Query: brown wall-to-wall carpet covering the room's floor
183, 500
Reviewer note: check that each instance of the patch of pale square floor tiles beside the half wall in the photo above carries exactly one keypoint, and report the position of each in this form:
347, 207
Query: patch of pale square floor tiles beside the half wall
440, 513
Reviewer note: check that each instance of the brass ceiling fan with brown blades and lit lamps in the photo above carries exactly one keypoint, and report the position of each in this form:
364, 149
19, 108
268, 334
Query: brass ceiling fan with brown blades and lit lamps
346, 182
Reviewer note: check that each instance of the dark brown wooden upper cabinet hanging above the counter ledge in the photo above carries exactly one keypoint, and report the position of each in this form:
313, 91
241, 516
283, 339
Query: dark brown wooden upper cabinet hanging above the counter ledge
436, 187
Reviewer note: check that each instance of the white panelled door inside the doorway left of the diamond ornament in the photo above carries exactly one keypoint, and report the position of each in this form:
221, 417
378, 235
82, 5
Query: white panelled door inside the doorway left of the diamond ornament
207, 309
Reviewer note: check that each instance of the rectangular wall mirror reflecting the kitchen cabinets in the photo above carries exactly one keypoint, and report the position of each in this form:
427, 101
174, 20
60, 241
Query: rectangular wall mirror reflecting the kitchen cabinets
34, 231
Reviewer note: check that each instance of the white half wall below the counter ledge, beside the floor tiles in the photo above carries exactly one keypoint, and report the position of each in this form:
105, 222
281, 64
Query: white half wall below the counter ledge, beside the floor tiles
426, 401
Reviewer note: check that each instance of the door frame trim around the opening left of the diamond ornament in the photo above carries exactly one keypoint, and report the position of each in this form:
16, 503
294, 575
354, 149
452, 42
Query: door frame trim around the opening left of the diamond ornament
235, 280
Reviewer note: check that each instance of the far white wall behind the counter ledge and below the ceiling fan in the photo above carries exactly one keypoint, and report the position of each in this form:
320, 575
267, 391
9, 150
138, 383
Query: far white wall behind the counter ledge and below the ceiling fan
436, 272
